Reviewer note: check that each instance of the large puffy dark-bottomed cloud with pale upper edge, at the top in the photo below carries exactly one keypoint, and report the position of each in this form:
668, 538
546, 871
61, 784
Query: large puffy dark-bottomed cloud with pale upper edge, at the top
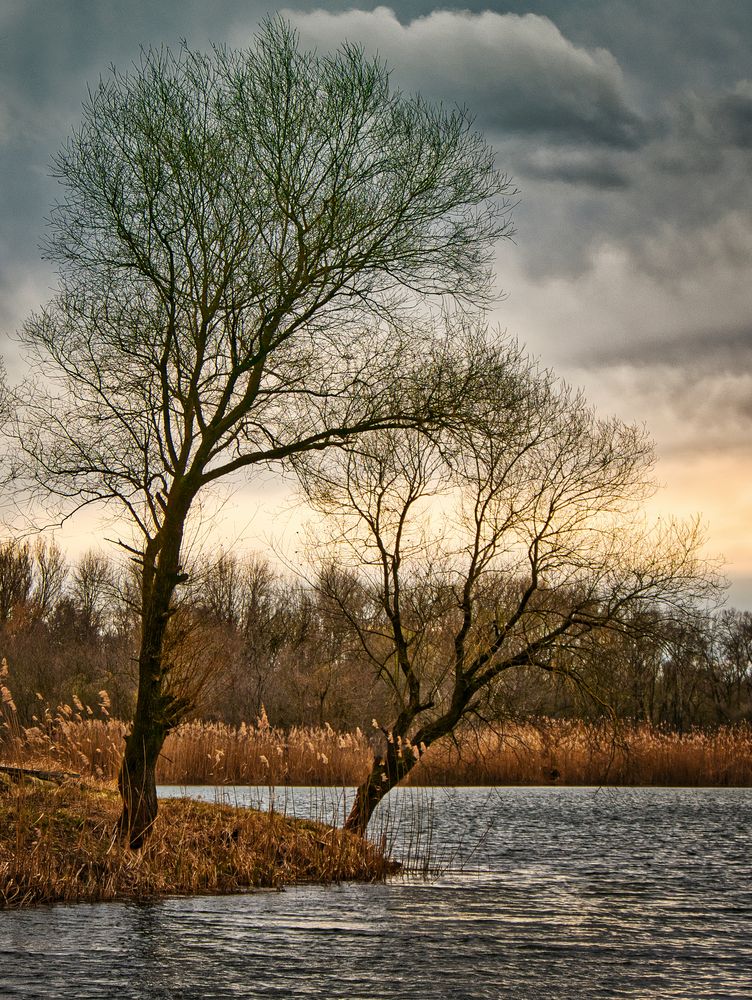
518, 74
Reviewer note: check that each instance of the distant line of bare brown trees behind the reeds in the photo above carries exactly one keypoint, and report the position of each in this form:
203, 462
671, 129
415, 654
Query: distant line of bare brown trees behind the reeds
259, 643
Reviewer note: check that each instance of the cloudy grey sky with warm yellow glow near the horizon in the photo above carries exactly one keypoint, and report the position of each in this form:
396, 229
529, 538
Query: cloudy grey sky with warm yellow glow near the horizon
626, 126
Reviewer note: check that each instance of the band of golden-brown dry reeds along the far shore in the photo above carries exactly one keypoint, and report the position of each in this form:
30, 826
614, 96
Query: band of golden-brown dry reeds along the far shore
540, 752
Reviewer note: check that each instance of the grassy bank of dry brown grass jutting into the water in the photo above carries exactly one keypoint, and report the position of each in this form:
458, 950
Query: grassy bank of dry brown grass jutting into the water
57, 845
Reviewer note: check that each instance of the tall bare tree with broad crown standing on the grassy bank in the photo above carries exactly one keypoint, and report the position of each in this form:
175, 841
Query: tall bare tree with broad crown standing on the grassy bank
244, 242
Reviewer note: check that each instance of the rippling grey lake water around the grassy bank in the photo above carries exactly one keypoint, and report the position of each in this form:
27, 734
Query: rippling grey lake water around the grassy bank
528, 893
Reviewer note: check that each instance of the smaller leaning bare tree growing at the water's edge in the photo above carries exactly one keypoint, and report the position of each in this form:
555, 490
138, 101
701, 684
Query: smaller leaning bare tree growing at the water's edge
510, 541
